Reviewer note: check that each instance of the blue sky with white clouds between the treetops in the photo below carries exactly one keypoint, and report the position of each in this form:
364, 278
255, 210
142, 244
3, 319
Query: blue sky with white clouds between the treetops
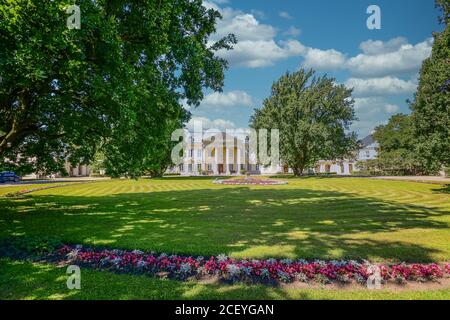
329, 36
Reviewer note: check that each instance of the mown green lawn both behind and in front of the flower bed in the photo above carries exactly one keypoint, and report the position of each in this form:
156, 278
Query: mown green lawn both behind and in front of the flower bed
308, 218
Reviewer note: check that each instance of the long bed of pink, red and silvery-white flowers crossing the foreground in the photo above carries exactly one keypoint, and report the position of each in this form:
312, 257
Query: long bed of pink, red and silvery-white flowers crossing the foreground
252, 271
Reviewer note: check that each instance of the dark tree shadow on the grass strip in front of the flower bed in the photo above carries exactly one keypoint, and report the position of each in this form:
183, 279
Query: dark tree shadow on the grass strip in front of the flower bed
24, 280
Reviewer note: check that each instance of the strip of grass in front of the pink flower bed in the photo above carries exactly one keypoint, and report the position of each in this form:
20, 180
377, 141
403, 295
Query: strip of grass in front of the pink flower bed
23, 280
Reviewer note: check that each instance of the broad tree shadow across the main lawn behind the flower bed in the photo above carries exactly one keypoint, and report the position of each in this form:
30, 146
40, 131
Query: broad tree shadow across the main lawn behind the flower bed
243, 222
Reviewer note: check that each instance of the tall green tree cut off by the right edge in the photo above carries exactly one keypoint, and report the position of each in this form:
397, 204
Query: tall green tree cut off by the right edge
431, 105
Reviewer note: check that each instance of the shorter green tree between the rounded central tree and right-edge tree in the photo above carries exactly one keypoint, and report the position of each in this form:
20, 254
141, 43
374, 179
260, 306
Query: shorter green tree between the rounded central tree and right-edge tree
396, 154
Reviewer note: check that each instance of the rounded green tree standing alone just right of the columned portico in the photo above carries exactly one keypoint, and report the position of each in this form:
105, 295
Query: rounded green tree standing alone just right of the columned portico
313, 115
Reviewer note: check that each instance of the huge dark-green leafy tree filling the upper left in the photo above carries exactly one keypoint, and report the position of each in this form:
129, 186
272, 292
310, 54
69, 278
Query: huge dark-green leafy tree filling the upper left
113, 85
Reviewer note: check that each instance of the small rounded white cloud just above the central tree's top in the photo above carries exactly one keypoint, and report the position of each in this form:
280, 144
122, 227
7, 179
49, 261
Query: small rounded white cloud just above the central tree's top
323, 60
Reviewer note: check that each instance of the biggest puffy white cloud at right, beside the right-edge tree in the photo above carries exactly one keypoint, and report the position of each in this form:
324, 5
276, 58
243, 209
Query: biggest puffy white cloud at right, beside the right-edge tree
393, 57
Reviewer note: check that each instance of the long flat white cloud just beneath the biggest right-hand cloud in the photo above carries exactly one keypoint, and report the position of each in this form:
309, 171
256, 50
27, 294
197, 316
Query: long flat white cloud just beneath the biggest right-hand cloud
380, 86
